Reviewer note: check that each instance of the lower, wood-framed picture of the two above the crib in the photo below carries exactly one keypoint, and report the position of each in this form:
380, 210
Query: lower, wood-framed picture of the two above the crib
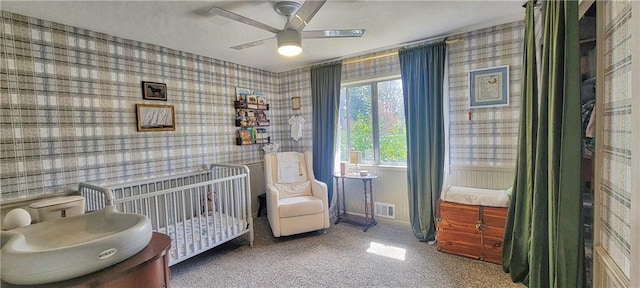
155, 117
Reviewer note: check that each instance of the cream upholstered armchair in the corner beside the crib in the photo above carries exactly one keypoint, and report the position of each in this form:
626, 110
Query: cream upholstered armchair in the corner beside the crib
296, 201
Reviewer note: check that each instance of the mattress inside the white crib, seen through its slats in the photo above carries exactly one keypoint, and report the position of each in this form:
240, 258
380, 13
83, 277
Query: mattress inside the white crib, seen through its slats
200, 233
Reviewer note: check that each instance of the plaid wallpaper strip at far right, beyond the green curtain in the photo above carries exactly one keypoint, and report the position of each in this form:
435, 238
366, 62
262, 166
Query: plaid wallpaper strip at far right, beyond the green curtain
615, 185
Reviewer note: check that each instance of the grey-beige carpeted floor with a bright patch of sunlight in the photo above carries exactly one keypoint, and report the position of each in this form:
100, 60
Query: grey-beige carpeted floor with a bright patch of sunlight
337, 258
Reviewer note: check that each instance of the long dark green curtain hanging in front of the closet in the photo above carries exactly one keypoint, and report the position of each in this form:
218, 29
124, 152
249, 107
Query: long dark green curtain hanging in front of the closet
551, 204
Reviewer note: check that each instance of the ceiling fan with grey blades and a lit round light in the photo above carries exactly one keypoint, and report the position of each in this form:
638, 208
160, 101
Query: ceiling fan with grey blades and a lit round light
290, 37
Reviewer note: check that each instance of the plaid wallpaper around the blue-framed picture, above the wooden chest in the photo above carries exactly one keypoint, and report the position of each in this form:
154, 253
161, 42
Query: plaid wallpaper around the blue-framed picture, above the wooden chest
490, 138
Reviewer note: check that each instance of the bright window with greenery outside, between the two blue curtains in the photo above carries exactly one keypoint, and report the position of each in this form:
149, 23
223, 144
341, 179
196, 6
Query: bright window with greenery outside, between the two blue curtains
372, 122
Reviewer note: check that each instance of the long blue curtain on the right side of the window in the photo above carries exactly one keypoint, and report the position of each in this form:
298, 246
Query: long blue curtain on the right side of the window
422, 71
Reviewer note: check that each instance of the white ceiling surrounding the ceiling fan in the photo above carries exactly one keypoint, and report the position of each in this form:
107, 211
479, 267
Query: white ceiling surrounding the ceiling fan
187, 26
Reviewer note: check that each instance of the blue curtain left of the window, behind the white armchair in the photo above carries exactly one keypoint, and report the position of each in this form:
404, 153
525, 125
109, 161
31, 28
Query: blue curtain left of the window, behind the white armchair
325, 94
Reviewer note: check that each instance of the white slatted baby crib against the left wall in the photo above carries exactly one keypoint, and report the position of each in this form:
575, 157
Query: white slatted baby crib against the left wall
177, 206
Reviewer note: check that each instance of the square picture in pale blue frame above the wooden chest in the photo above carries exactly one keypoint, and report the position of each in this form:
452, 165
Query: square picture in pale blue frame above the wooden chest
489, 87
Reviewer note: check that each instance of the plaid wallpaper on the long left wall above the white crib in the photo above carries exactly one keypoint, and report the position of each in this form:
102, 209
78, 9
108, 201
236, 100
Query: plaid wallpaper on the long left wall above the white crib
68, 108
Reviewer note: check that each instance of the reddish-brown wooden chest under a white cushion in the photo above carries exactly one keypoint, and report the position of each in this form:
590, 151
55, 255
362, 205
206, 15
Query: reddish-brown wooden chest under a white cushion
471, 231
